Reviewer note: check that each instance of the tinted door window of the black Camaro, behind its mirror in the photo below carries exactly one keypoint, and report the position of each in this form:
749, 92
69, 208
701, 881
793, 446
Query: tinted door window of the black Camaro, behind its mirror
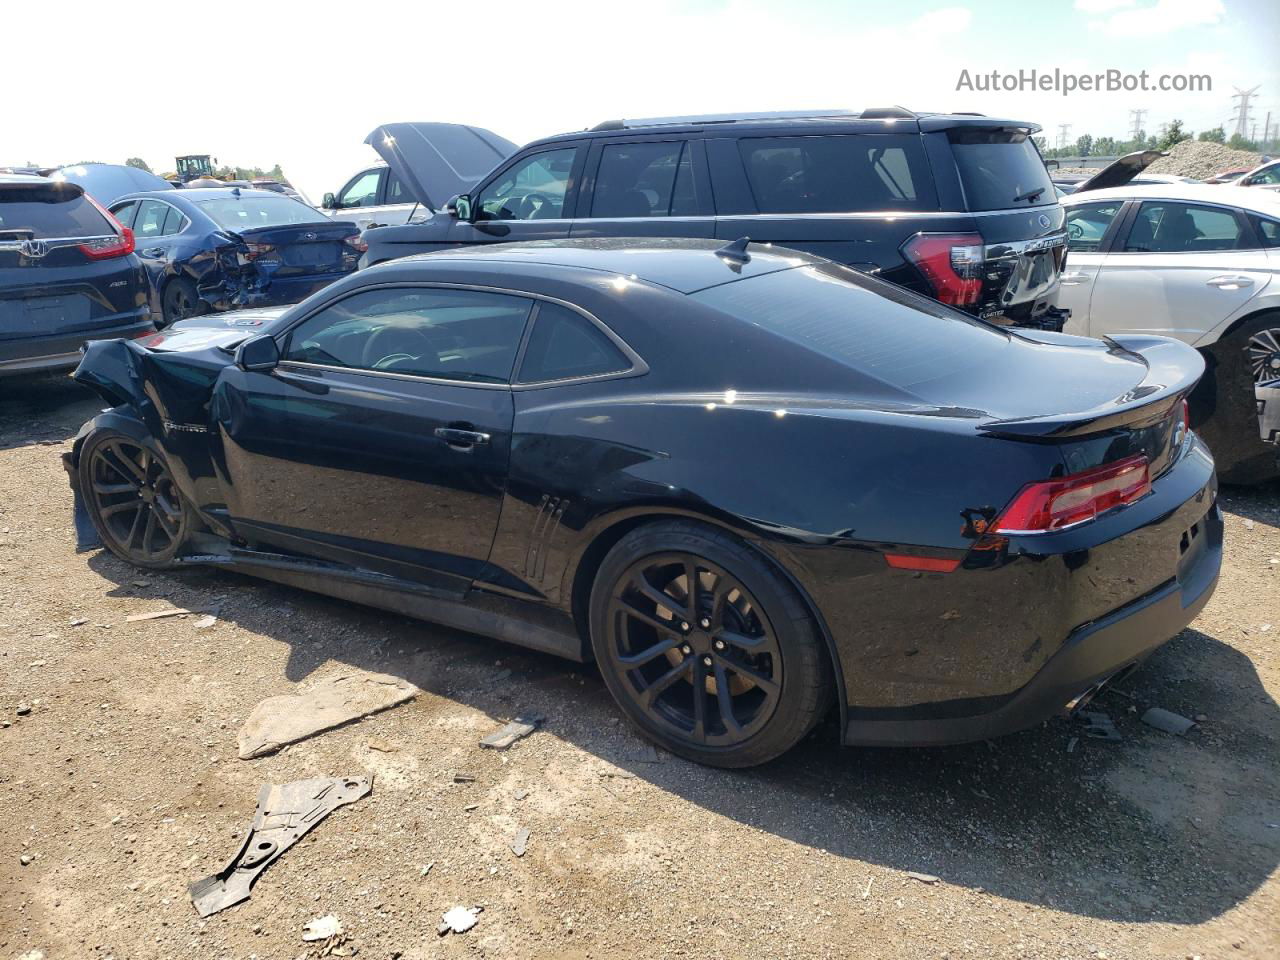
465, 336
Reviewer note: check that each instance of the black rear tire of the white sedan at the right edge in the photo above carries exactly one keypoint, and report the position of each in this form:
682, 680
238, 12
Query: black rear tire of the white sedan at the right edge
1224, 412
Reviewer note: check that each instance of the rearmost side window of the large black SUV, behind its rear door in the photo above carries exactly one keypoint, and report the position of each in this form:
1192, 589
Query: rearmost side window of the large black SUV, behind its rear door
838, 175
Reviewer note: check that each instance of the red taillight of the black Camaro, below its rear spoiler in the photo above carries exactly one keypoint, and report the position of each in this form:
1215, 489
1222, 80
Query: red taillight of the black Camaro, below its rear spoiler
1057, 505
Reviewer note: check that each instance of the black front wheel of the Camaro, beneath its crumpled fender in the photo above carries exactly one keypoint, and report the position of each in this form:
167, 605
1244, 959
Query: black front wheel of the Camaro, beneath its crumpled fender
134, 501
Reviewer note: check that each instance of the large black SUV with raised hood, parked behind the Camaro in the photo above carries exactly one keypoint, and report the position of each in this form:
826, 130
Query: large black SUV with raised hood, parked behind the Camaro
957, 207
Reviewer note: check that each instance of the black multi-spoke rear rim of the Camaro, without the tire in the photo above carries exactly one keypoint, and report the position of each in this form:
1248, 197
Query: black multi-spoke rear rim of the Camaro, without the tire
706, 668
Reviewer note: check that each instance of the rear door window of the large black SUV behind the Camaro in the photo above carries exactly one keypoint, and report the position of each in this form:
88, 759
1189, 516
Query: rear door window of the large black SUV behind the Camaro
639, 180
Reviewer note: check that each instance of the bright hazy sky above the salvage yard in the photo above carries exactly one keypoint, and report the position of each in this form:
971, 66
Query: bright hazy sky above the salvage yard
304, 84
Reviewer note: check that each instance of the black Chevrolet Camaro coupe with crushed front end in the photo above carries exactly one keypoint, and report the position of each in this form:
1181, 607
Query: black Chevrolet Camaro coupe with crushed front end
751, 484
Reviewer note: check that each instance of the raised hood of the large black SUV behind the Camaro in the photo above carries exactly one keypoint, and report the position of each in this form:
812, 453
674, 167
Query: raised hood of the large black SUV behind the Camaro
440, 161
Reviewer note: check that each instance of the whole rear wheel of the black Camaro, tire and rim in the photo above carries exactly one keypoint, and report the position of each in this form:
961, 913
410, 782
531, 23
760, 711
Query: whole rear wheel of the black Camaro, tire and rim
733, 673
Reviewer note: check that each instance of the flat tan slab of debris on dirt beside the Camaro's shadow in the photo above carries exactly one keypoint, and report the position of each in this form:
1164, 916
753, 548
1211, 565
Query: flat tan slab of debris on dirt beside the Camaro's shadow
278, 721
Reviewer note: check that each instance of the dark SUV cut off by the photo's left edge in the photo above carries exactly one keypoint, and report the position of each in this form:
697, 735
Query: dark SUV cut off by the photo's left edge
68, 275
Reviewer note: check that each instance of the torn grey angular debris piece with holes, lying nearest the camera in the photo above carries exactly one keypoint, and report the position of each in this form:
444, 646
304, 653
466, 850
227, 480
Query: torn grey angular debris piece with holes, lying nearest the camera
285, 813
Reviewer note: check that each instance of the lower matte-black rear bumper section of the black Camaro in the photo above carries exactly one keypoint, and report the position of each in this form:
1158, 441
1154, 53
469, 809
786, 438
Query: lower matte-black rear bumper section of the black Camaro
1094, 653
